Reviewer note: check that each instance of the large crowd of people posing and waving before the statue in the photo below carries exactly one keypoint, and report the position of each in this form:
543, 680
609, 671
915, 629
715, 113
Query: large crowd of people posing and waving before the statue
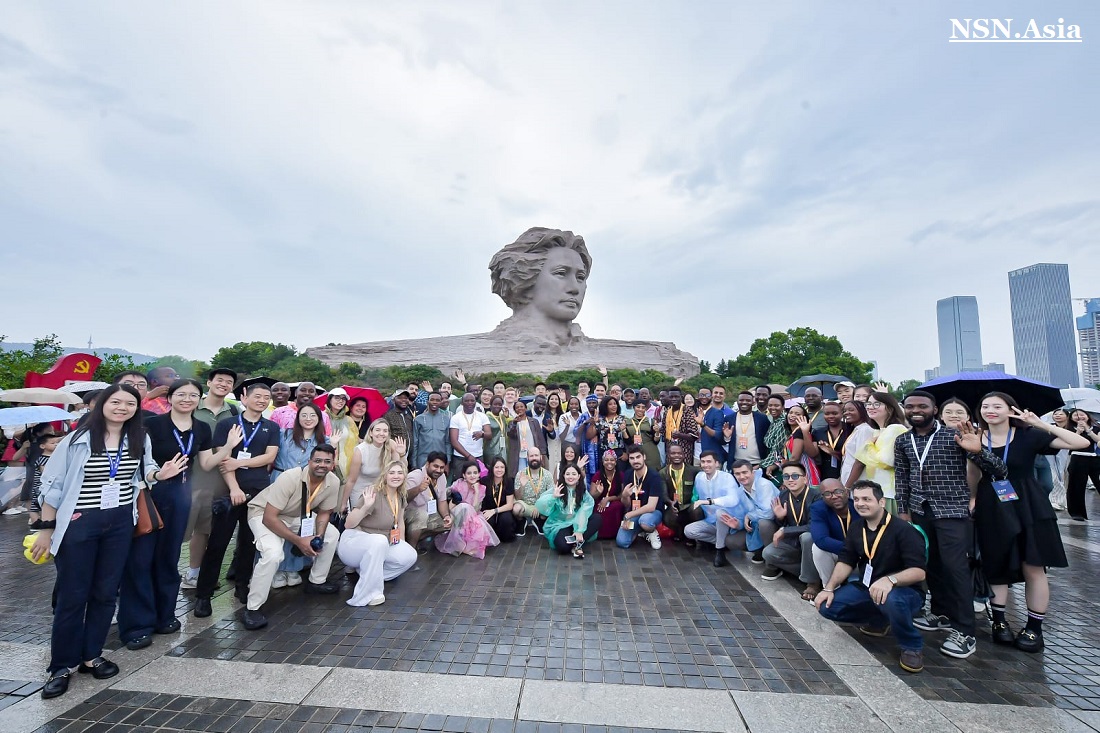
887, 515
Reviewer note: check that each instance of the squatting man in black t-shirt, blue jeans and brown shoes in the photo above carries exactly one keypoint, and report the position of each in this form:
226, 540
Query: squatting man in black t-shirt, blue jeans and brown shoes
889, 555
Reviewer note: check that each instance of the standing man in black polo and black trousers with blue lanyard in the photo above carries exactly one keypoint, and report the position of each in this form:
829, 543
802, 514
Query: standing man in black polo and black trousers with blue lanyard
247, 475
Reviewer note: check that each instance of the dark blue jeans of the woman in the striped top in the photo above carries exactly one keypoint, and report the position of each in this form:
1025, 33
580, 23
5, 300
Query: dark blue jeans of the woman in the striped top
91, 563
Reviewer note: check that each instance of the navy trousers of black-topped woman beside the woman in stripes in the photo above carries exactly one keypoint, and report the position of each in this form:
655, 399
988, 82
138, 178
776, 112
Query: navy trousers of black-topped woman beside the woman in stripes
151, 584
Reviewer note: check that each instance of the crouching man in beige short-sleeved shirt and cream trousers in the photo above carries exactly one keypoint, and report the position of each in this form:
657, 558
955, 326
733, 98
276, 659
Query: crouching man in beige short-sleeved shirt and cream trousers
295, 509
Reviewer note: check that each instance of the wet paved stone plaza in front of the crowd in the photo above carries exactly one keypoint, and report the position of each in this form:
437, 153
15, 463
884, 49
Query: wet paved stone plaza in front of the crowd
529, 641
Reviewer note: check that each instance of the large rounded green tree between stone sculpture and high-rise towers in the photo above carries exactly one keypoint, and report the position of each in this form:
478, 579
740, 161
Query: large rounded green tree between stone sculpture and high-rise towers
785, 357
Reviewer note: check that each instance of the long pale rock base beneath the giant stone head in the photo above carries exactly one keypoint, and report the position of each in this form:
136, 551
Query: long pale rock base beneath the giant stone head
478, 354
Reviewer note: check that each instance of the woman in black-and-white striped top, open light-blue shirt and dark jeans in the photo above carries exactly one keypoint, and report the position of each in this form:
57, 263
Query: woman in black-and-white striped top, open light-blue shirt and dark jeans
89, 518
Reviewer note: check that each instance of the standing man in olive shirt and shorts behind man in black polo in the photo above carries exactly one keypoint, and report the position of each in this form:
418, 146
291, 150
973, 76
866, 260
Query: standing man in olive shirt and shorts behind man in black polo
205, 485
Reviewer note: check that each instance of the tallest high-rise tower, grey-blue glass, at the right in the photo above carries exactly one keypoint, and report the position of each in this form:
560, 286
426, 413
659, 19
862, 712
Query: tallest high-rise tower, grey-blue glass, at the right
1043, 324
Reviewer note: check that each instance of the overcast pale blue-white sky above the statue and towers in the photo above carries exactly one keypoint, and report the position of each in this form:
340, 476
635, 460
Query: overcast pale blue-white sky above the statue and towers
181, 177
